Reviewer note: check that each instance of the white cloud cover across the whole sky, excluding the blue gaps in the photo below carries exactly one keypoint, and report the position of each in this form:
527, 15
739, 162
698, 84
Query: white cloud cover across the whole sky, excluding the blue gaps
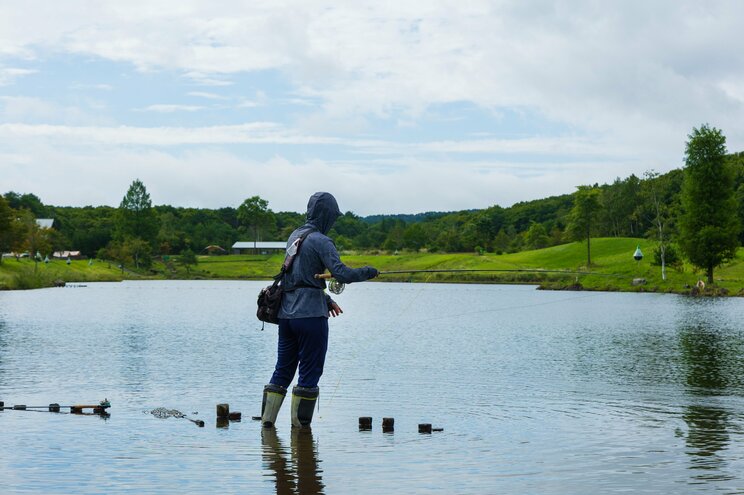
624, 82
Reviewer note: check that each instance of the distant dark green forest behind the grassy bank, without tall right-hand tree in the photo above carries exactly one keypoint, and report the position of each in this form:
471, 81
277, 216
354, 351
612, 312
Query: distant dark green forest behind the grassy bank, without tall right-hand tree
627, 207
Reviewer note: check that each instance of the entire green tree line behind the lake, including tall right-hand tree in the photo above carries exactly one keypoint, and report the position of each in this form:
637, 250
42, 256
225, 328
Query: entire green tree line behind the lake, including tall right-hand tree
658, 206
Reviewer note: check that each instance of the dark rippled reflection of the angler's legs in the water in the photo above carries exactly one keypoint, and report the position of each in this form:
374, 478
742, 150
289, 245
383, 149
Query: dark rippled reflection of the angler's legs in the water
295, 471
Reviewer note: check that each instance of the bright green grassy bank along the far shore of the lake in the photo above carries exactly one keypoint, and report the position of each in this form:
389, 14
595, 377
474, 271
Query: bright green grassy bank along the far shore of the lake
613, 268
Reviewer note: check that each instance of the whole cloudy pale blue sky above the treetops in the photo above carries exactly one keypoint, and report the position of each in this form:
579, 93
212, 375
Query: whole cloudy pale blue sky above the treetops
394, 107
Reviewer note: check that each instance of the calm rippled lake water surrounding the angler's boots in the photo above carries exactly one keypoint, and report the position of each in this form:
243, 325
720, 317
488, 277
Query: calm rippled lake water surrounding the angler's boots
537, 392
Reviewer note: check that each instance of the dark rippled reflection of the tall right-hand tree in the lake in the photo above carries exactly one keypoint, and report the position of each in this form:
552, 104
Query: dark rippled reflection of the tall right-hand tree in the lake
707, 360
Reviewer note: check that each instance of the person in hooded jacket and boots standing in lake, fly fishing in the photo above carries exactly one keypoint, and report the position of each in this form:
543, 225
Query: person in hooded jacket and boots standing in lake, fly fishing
303, 317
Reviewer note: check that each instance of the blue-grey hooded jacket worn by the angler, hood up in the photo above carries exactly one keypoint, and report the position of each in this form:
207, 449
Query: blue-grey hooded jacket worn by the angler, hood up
304, 295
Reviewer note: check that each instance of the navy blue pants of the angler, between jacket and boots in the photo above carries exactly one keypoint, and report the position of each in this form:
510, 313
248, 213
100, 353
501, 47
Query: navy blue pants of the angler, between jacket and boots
303, 342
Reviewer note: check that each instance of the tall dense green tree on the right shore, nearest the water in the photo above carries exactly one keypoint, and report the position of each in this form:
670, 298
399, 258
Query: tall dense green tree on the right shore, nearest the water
709, 225
